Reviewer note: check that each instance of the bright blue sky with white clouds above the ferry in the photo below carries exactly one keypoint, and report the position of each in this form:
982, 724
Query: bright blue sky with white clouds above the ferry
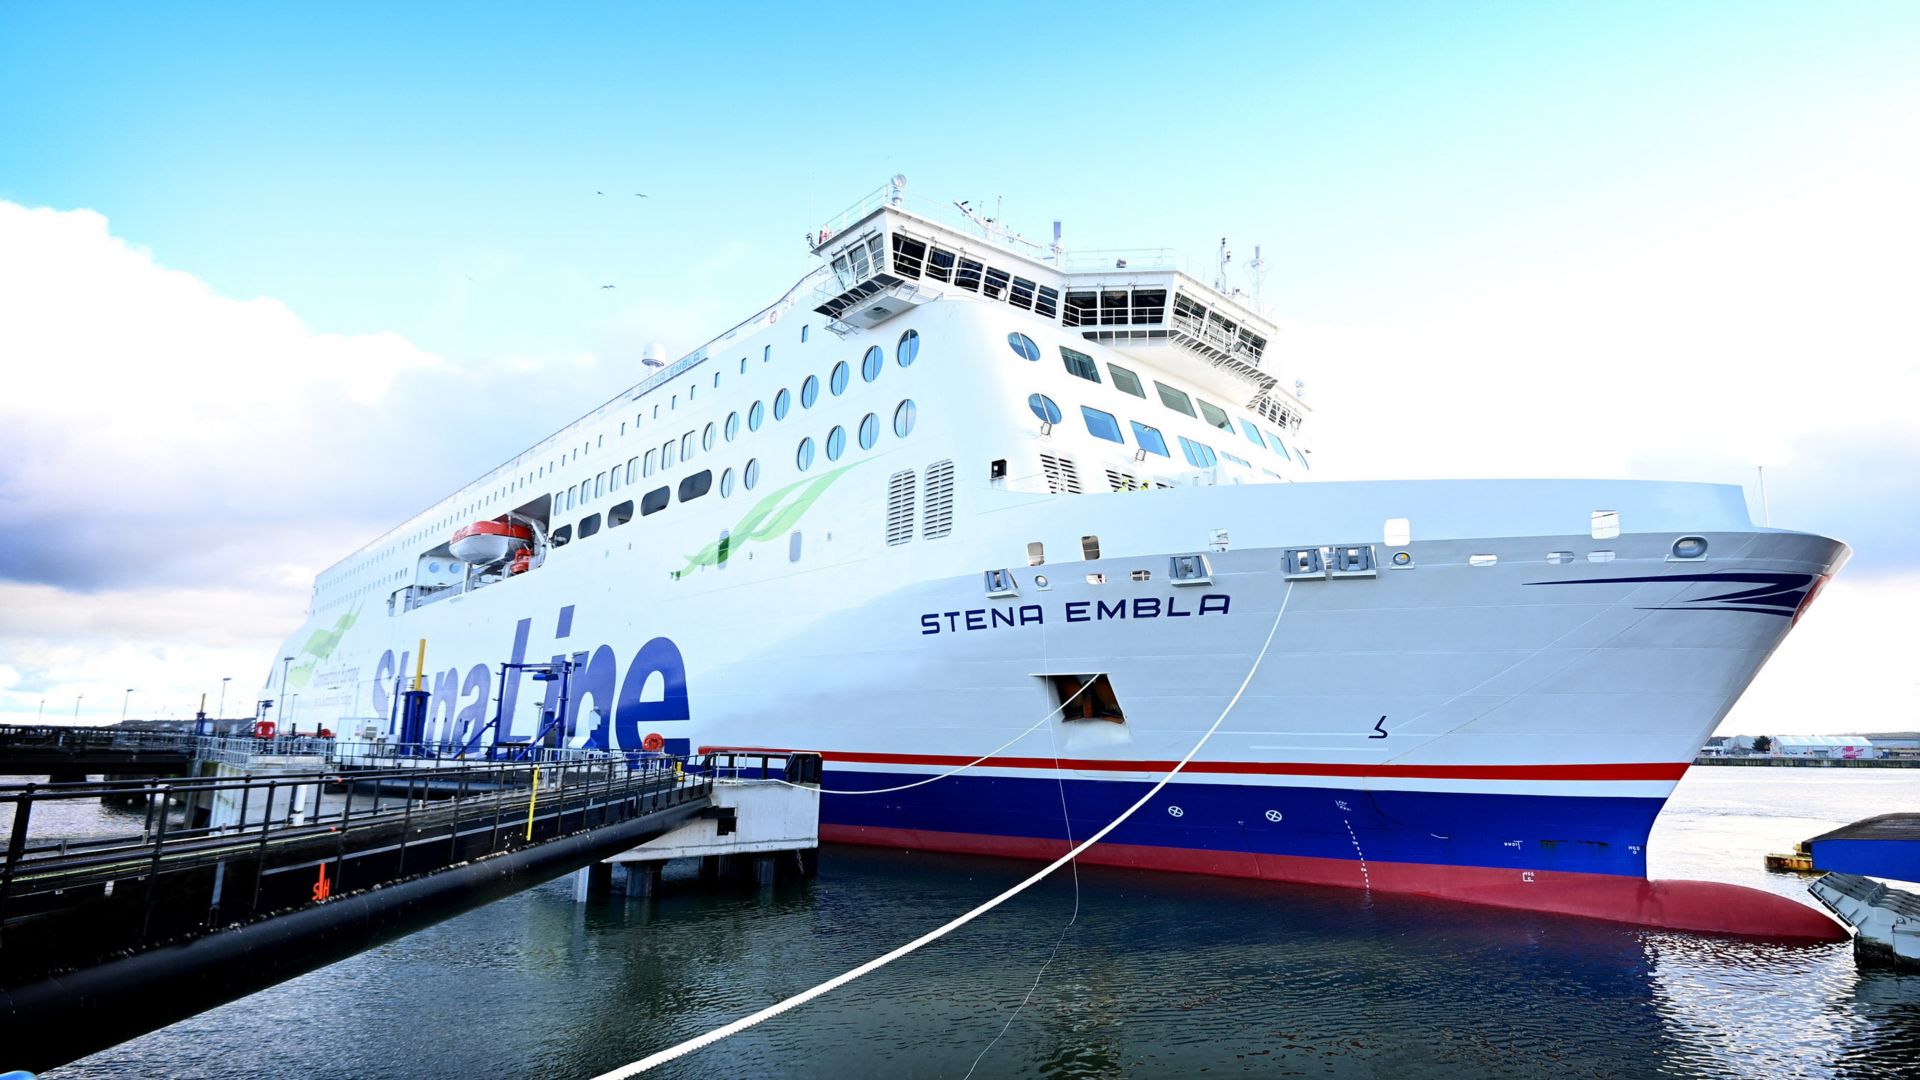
256, 262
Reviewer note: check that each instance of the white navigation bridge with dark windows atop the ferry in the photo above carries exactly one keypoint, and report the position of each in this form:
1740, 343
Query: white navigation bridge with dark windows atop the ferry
888, 258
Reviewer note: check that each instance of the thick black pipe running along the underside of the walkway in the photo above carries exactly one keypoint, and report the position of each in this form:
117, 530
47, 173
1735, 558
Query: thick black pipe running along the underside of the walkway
68, 1018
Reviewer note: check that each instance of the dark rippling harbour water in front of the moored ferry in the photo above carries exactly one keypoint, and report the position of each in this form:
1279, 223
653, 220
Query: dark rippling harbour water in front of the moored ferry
1159, 977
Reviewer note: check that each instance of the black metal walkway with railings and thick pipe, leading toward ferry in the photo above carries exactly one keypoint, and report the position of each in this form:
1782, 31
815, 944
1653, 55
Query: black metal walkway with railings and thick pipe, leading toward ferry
105, 939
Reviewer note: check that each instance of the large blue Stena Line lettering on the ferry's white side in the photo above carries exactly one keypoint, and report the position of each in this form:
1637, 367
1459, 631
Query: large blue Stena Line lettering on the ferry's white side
608, 702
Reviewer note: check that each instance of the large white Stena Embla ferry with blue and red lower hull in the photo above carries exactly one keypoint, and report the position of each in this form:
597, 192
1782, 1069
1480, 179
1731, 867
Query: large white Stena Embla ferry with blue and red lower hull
1003, 531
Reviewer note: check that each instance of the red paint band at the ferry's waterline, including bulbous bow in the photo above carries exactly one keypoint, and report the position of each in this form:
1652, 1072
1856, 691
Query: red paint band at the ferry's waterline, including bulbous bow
1704, 908
